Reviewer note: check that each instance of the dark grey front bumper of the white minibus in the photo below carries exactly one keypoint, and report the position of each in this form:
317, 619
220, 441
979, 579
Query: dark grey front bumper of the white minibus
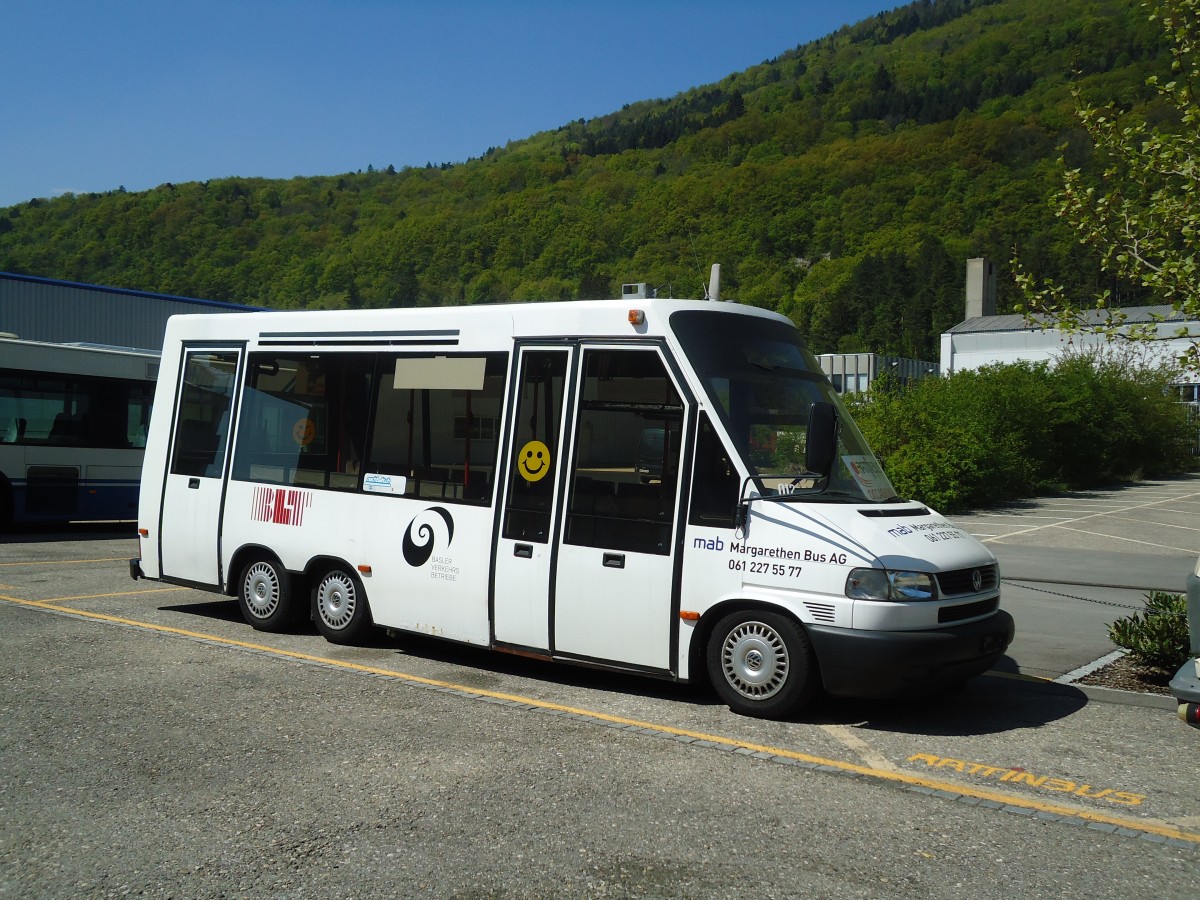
889, 664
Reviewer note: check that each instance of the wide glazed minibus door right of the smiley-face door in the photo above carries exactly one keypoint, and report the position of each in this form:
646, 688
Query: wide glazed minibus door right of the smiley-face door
615, 593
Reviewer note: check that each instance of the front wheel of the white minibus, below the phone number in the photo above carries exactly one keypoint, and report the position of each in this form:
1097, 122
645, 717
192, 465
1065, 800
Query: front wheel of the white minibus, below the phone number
761, 664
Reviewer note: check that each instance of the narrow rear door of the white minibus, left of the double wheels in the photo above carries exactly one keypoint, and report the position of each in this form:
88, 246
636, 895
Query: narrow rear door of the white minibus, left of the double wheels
190, 515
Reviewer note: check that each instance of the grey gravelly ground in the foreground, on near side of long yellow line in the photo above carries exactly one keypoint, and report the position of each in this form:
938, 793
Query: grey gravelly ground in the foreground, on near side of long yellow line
140, 765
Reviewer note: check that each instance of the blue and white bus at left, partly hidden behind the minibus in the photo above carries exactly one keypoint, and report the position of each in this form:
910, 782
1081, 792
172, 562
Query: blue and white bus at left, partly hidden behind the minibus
74, 424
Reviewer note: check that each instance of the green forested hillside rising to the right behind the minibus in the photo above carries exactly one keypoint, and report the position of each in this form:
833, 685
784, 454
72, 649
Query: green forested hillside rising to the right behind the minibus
844, 183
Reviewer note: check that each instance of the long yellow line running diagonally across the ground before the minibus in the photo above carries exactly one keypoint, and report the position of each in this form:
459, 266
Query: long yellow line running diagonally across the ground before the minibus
1137, 825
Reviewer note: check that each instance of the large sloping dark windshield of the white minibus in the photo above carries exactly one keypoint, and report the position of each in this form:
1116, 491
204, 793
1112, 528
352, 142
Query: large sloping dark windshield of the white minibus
761, 380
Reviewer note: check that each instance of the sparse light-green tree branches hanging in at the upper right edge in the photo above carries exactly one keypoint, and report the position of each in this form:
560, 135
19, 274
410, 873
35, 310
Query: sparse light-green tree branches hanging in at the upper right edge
1141, 215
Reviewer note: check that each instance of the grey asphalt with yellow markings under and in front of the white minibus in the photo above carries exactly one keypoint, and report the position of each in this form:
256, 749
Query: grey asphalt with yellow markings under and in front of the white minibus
152, 743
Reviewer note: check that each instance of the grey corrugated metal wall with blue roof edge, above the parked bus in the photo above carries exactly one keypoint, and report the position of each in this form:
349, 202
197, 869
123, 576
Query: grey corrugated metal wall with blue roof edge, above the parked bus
67, 313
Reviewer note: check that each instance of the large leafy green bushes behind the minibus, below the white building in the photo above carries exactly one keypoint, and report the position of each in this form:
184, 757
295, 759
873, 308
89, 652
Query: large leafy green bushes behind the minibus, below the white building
1003, 433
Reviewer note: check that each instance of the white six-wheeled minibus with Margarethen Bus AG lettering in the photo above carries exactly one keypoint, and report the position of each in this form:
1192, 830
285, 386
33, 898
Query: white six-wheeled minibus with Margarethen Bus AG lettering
482, 475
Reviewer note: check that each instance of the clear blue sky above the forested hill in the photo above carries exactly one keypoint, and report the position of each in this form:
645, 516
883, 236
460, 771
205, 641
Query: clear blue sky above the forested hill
101, 94
